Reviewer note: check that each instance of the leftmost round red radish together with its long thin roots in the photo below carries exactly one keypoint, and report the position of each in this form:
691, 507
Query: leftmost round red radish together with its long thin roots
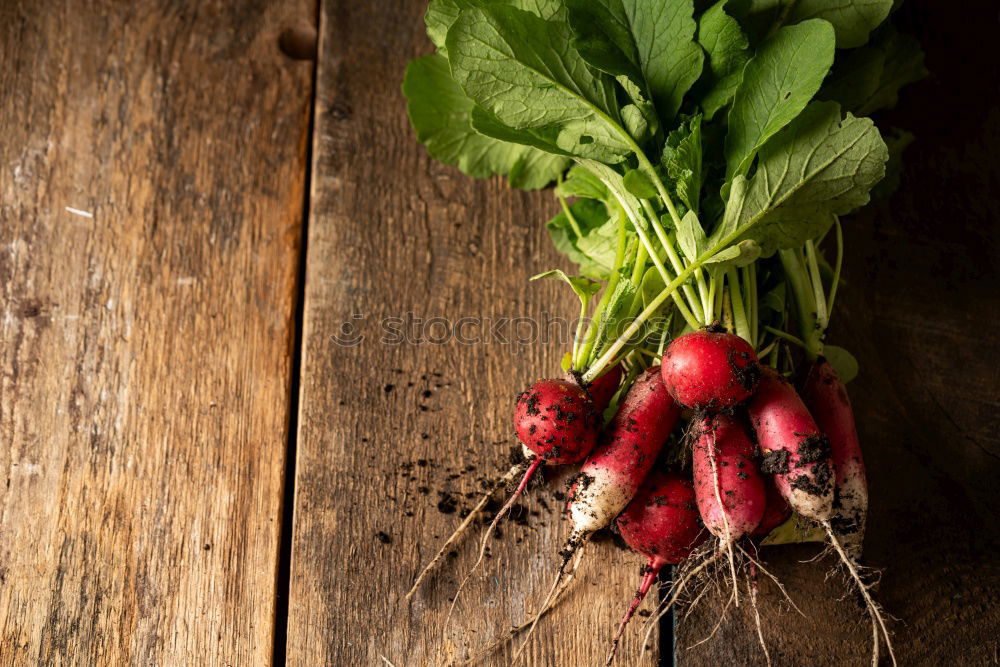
557, 423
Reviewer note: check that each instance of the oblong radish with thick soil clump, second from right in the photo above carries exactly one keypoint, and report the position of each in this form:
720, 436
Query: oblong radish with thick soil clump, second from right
795, 451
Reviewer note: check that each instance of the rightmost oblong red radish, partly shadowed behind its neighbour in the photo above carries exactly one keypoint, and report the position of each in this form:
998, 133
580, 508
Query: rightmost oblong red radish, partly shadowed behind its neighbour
828, 402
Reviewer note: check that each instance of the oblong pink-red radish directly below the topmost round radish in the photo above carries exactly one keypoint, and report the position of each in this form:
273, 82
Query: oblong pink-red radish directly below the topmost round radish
731, 496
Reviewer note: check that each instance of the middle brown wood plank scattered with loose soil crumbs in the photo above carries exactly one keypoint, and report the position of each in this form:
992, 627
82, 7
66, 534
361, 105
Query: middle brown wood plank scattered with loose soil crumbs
392, 232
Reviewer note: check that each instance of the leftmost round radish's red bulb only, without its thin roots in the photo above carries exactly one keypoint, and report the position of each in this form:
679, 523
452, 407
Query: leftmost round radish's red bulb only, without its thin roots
557, 421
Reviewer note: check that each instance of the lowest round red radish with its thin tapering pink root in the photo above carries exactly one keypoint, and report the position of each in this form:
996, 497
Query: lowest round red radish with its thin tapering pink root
662, 524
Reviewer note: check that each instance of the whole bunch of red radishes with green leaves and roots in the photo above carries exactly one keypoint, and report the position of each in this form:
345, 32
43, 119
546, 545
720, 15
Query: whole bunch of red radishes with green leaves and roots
702, 152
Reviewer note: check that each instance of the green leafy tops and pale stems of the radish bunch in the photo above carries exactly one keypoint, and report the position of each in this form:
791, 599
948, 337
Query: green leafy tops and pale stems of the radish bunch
688, 145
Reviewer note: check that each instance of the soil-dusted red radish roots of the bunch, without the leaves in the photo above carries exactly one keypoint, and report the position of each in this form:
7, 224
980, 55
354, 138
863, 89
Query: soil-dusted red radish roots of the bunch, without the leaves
757, 453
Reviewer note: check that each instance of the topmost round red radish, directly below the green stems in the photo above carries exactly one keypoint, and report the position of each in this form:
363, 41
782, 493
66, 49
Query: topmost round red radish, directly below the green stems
710, 369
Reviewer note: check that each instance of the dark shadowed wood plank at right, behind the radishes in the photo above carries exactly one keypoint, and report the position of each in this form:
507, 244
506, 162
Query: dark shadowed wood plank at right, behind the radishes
919, 311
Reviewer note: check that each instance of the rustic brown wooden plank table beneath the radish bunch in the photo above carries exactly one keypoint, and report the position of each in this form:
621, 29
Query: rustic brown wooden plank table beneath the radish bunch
199, 467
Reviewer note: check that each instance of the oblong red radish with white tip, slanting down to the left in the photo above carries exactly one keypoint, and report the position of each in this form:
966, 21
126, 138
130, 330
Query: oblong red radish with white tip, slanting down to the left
612, 474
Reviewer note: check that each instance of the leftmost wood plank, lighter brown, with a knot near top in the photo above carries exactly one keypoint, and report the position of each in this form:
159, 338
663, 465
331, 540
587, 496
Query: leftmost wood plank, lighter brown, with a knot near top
152, 166
